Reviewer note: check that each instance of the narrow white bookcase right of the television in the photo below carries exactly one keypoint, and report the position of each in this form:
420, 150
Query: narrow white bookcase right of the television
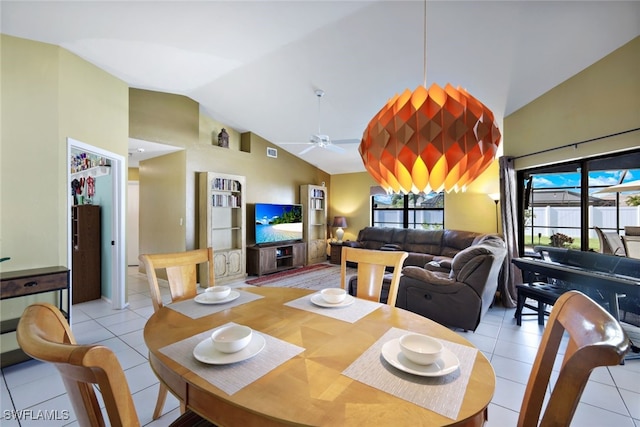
314, 205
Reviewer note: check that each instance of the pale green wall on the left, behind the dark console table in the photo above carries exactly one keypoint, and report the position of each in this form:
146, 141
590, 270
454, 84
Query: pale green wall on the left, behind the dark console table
48, 95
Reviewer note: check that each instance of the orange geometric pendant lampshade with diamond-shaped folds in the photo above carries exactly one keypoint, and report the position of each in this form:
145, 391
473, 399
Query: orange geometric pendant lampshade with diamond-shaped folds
430, 140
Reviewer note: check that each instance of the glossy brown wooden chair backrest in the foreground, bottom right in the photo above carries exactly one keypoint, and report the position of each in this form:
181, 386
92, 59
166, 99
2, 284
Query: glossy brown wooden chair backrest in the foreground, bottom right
595, 339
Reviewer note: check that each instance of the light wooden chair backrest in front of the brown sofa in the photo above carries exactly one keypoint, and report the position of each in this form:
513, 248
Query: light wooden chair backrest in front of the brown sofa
372, 266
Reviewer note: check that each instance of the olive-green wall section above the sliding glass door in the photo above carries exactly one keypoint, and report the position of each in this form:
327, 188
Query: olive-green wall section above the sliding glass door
601, 100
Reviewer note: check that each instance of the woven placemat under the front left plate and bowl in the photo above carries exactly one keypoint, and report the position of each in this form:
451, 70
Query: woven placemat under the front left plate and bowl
233, 377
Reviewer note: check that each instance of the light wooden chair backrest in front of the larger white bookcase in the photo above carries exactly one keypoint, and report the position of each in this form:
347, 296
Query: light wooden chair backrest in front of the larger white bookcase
181, 268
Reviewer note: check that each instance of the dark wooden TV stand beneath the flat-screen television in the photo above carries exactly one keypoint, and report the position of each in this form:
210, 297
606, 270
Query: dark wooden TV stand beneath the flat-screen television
271, 259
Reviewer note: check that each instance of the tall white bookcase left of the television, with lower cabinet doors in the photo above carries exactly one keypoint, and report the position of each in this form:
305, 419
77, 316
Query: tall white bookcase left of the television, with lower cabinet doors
222, 225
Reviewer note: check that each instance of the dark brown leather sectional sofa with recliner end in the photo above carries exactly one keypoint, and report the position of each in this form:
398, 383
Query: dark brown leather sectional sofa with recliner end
450, 276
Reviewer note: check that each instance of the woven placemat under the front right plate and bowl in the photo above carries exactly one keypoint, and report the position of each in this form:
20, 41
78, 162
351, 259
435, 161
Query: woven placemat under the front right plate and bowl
443, 394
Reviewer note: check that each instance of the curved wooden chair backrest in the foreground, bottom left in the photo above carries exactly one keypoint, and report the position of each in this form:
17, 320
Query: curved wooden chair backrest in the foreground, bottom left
44, 334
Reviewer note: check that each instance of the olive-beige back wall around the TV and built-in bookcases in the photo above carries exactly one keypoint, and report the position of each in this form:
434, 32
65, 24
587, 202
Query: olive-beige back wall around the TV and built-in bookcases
168, 204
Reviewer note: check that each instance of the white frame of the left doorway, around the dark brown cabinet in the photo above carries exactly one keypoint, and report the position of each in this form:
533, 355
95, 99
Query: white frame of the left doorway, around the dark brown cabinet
114, 222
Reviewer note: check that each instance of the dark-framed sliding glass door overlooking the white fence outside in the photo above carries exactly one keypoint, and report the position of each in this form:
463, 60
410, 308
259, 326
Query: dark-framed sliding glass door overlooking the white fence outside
563, 204
